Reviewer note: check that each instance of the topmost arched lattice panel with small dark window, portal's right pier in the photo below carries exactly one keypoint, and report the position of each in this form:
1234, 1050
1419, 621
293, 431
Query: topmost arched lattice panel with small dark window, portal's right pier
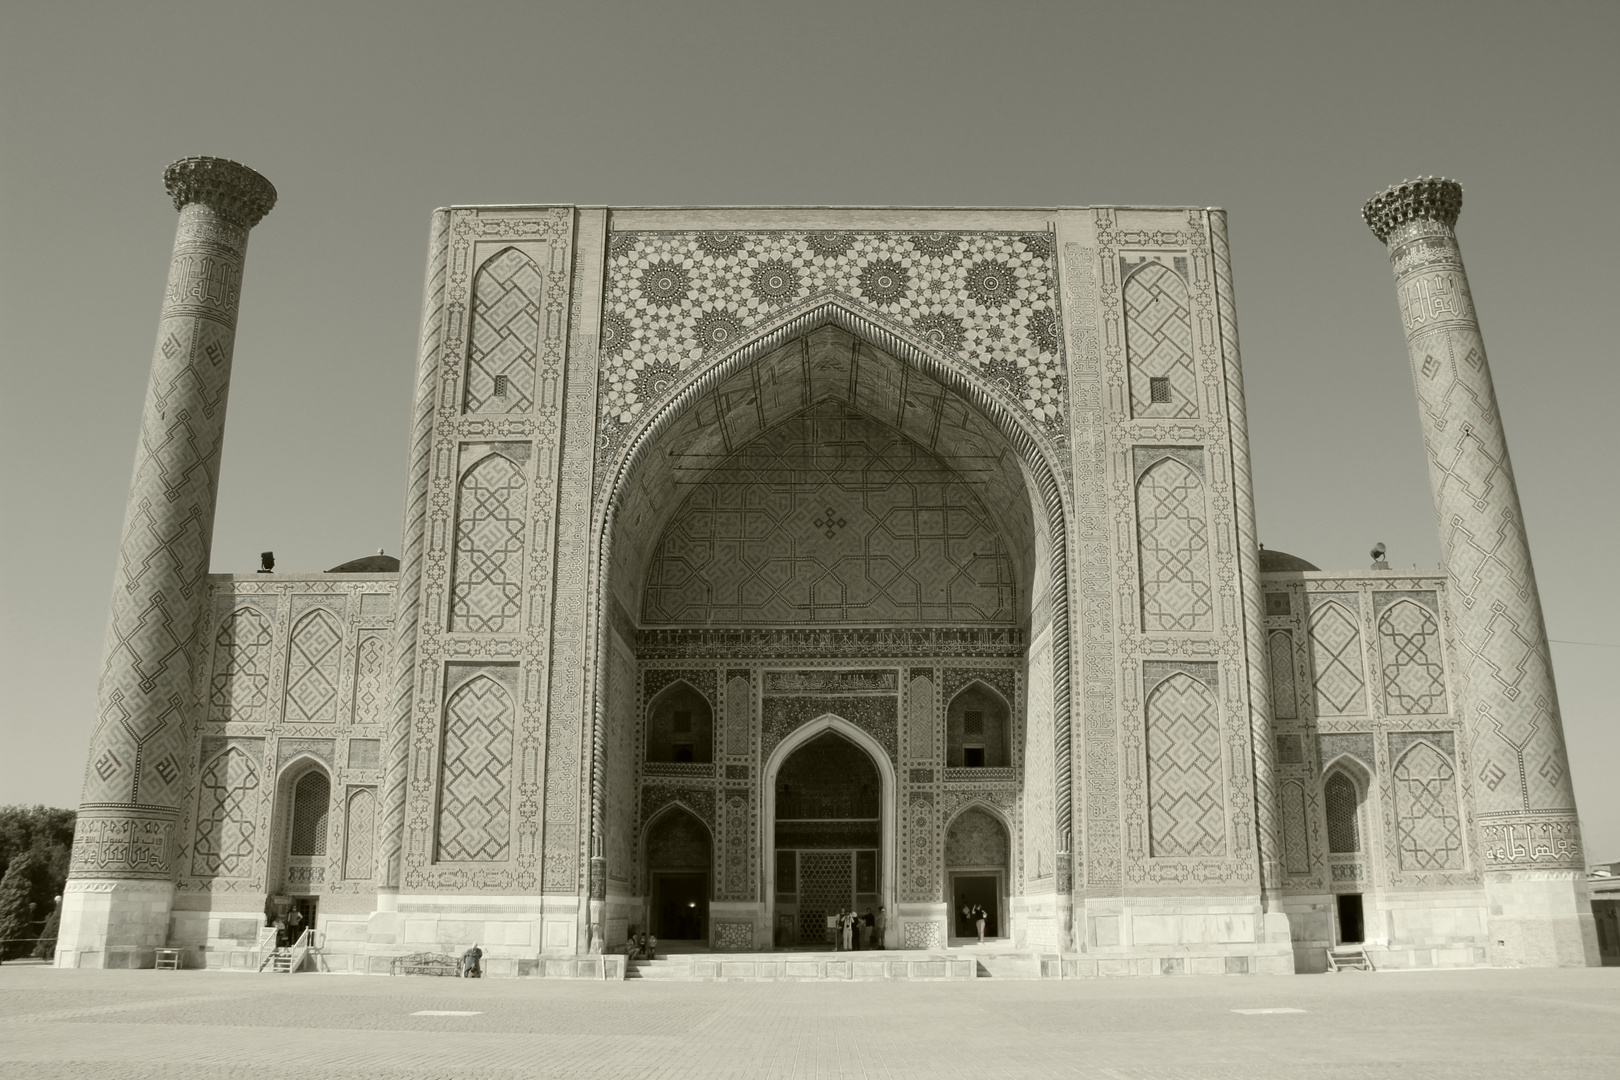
1159, 338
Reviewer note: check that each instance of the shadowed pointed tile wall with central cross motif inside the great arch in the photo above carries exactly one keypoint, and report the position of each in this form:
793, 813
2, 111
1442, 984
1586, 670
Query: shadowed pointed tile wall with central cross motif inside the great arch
832, 517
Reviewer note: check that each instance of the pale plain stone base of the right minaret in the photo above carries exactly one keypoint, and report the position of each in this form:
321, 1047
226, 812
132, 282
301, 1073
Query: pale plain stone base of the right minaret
1541, 919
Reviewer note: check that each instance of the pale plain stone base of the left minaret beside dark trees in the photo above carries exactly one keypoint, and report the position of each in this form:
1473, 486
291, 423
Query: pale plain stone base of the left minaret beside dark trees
113, 924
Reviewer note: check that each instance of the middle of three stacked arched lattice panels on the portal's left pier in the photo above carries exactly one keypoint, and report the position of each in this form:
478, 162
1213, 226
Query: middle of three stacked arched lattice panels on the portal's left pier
487, 592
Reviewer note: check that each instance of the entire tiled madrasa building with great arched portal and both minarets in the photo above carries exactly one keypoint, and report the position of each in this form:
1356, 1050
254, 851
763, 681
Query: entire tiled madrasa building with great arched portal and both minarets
769, 563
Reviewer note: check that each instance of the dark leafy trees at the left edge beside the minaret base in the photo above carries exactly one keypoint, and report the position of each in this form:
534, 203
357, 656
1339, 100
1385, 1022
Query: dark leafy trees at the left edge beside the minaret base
35, 849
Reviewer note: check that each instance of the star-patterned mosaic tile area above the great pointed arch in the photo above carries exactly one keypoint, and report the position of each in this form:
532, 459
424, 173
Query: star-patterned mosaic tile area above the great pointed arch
676, 299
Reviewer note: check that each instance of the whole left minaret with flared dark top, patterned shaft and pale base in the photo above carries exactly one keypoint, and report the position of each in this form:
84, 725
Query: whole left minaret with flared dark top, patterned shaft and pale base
116, 906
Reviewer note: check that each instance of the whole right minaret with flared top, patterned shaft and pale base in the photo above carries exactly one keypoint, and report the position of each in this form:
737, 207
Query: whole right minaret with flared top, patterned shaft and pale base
1530, 844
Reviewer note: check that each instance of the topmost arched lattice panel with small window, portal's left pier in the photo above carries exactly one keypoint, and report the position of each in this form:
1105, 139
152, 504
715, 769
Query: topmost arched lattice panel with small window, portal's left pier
506, 336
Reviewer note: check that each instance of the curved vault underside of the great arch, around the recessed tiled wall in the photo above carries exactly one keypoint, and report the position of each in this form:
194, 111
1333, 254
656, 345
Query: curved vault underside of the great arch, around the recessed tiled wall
927, 425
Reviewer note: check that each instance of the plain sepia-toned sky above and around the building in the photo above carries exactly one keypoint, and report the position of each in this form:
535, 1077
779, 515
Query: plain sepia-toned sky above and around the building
369, 116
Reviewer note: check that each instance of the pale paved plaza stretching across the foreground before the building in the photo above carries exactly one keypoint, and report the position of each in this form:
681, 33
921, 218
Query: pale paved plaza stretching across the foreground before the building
189, 1026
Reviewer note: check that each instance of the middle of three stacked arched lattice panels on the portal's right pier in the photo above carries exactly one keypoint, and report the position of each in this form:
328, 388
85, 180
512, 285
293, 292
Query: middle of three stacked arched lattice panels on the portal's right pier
1174, 548
